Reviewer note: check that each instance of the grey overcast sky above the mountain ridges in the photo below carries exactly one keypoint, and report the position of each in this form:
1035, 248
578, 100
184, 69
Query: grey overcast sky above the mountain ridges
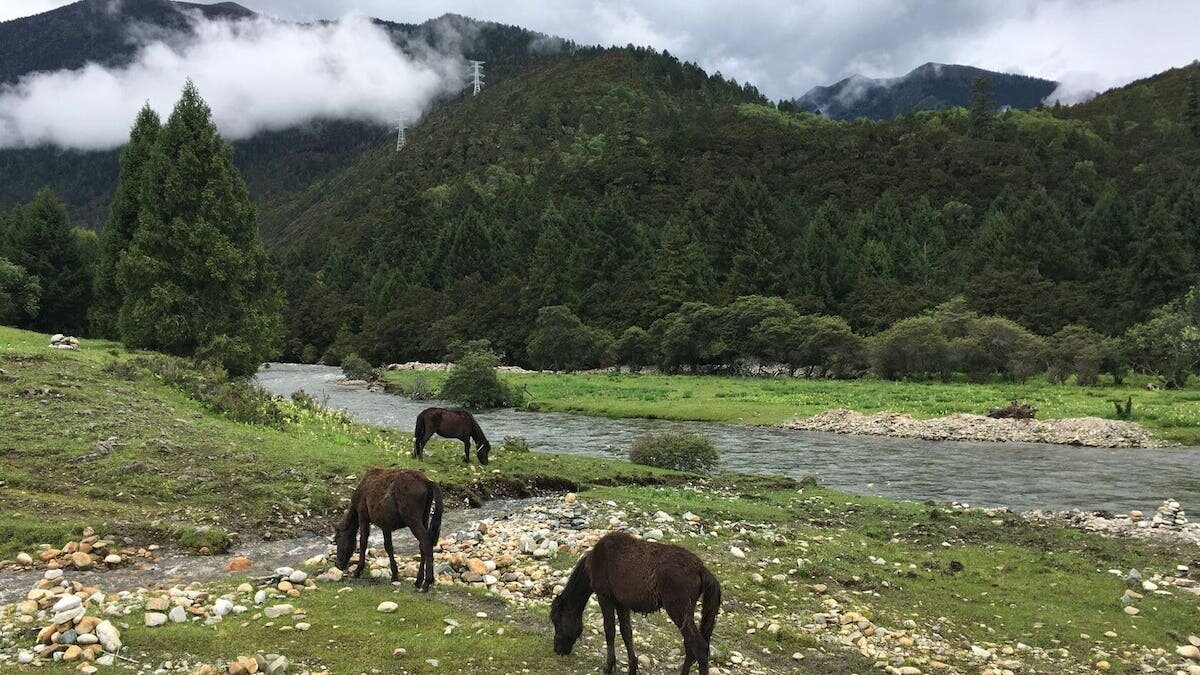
788, 46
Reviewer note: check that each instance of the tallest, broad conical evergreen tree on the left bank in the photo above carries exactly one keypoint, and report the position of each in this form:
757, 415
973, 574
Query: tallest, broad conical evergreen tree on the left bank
195, 278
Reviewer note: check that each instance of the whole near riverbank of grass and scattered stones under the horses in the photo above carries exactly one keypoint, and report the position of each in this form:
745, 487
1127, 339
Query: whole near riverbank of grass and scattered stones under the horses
815, 580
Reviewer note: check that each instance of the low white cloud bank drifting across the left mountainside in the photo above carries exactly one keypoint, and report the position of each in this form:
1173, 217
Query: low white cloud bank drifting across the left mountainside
256, 75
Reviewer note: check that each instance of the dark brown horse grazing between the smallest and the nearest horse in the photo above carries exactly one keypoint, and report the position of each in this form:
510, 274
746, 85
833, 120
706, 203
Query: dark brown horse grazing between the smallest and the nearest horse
393, 499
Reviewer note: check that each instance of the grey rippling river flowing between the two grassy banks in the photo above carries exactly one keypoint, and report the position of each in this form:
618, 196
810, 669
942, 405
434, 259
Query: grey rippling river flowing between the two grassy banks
1022, 476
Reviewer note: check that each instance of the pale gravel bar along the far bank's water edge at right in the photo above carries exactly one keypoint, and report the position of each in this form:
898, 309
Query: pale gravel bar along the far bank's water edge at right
1091, 432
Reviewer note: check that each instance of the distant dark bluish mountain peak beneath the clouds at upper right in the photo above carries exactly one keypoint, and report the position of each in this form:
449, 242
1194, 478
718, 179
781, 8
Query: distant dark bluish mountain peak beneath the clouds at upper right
929, 87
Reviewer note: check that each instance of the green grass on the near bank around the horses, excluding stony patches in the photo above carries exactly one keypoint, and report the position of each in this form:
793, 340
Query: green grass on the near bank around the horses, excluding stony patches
991, 581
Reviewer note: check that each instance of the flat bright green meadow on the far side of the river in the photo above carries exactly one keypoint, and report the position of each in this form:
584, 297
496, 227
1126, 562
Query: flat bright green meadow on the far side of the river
1173, 416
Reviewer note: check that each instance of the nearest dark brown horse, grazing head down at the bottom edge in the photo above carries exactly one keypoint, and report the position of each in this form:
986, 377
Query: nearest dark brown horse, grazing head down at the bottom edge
631, 575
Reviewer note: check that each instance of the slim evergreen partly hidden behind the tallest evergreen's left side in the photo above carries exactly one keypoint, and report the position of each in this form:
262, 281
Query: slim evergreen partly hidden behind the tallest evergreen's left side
123, 222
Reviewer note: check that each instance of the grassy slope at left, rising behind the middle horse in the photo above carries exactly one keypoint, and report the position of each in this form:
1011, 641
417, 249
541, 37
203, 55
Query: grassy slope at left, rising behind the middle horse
173, 463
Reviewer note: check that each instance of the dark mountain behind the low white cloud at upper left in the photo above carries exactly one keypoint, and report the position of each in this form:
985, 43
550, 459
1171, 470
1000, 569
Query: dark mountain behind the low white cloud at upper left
274, 164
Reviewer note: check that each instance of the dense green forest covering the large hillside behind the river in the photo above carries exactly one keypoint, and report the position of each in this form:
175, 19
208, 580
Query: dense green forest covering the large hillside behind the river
625, 184
